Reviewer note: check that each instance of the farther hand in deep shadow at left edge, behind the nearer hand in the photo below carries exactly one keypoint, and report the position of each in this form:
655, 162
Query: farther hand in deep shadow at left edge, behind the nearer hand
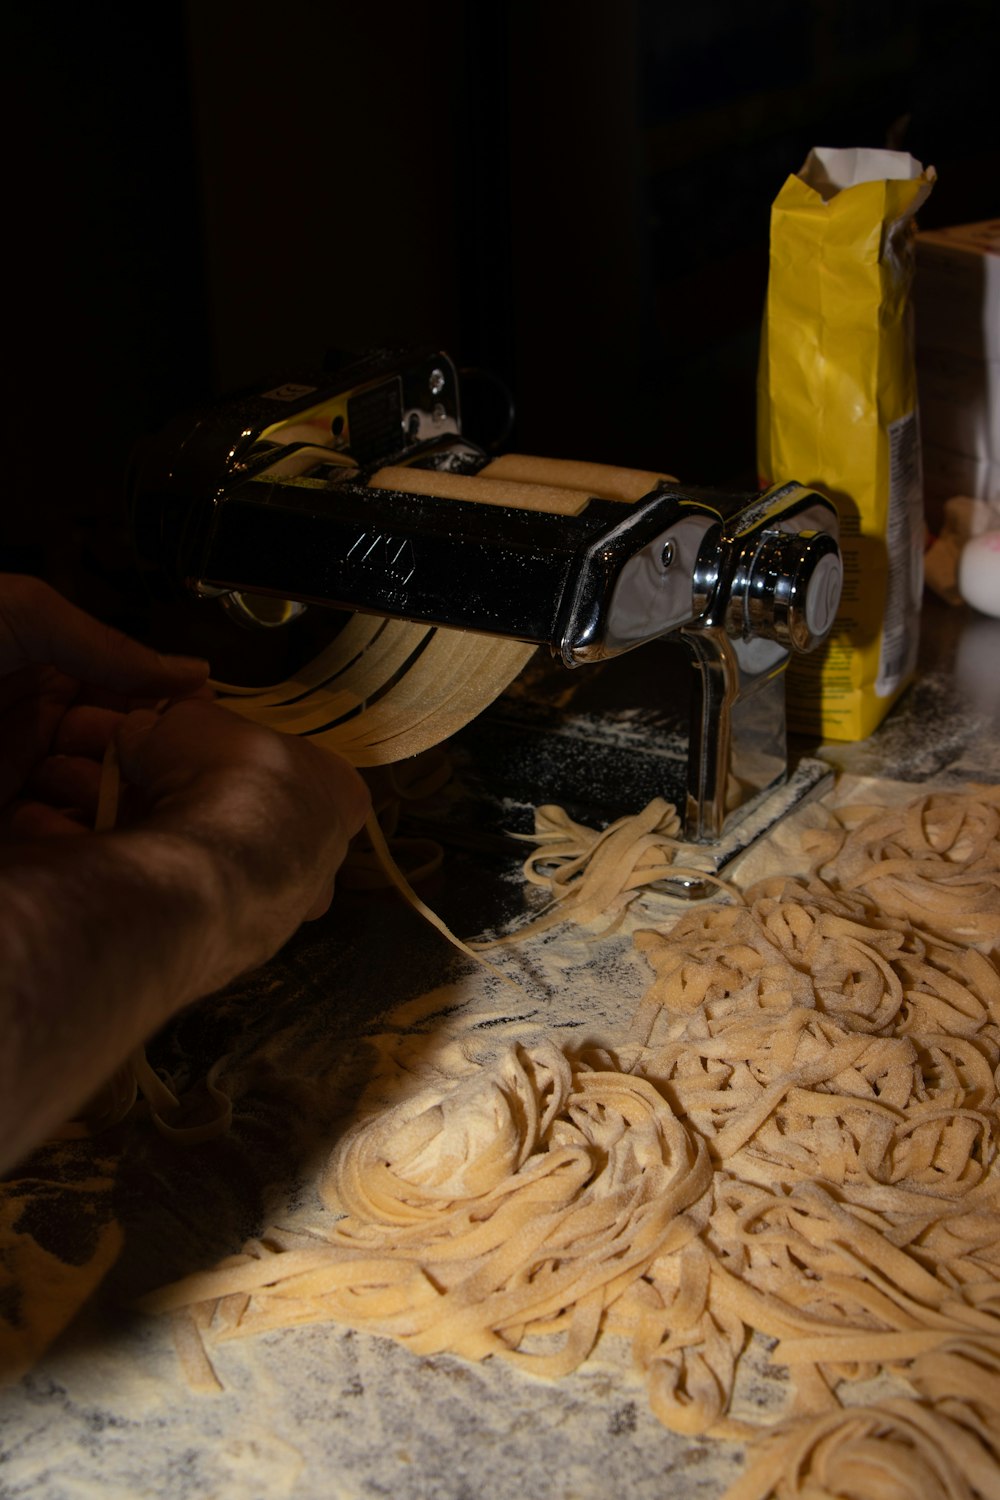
65, 683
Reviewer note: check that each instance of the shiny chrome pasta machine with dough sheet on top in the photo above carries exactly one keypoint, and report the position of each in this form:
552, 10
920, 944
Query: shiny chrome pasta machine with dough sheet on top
359, 490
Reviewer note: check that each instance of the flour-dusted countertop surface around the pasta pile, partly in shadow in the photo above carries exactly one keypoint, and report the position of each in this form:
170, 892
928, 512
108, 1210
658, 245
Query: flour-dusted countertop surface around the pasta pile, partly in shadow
323, 1411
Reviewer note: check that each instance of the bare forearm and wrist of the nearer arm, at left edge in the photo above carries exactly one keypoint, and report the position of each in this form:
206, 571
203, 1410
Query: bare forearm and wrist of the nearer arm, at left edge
104, 938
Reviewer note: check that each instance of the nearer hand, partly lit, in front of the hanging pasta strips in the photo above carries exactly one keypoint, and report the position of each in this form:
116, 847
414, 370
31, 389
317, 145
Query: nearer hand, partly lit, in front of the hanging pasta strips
274, 812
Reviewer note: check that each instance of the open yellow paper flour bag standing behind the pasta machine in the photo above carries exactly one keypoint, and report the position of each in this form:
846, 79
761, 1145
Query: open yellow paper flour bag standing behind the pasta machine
837, 412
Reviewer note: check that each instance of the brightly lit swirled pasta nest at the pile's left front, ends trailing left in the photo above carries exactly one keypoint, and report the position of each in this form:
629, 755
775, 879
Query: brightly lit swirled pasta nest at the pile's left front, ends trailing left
491, 1219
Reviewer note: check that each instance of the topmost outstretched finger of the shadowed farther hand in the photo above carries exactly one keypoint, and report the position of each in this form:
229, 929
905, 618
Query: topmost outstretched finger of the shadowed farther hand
40, 626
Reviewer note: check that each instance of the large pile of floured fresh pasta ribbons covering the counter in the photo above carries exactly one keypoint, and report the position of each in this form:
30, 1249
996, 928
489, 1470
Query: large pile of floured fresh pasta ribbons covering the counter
797, 1139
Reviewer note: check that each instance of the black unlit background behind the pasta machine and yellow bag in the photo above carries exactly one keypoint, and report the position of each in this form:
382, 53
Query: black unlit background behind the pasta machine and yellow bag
572, 194
